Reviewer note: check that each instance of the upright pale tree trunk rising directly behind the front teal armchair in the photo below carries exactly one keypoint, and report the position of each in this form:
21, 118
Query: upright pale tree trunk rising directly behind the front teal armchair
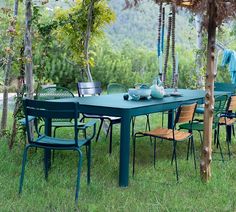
28, 50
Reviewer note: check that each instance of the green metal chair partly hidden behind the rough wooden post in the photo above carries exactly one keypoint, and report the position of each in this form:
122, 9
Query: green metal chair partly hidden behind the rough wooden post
219, 108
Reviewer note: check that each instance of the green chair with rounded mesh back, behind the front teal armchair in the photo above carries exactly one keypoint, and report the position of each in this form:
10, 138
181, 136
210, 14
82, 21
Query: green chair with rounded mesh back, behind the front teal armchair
56, 92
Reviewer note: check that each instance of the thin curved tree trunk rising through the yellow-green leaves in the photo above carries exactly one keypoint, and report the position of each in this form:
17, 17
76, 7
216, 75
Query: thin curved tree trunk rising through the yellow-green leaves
87, 38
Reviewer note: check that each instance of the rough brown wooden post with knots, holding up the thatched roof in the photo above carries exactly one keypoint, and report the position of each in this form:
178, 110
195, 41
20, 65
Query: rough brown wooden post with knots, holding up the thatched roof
205, 165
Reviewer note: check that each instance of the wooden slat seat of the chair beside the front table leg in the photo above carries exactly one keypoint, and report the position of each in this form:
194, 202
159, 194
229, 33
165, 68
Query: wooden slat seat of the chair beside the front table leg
168, 134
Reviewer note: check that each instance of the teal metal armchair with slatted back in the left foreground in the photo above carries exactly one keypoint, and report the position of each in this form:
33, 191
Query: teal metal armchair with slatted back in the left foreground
47, 111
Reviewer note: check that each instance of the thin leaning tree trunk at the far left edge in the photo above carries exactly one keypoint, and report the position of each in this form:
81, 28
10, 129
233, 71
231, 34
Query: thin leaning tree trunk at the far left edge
8, 70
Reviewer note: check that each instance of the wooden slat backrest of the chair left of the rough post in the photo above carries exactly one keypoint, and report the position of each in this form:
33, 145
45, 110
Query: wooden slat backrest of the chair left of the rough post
185, 113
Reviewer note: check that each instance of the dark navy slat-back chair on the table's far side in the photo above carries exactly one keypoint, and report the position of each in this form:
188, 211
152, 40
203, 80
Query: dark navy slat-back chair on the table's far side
93, 89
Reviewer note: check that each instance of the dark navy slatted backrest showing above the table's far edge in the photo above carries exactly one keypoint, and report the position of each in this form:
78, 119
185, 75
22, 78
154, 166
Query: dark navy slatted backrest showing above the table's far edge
89, 88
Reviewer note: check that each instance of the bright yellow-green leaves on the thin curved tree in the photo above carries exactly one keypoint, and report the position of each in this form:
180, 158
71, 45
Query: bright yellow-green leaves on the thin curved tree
72, 25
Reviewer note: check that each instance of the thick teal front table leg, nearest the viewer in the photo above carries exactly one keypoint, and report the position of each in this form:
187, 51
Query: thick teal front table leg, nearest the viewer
124, 151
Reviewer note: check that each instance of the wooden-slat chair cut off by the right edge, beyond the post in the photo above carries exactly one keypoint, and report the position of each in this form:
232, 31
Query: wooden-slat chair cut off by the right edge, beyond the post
228, 120
